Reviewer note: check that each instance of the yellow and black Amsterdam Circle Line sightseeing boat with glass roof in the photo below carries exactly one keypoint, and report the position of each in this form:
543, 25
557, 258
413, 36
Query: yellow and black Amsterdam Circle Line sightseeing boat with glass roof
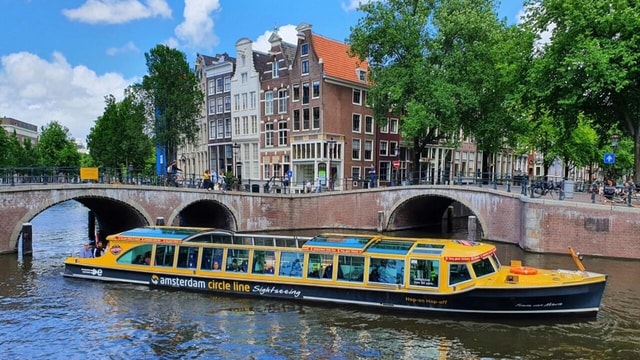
416, 275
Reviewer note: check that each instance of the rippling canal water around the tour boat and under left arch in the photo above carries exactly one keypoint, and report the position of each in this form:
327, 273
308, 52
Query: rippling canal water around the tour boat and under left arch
46, 316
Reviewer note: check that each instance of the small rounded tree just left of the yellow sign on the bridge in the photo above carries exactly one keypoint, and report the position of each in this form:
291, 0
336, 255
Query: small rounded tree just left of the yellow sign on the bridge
56, 148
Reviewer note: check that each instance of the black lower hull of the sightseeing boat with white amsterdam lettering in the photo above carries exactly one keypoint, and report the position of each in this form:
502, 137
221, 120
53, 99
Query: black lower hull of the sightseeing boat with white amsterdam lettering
579, 299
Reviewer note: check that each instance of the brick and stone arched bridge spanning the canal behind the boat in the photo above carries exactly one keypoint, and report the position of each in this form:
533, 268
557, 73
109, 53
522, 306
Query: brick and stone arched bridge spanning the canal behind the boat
539, 225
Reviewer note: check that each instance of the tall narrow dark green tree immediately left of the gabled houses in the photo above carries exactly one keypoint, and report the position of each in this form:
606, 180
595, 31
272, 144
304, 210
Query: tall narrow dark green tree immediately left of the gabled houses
172, 92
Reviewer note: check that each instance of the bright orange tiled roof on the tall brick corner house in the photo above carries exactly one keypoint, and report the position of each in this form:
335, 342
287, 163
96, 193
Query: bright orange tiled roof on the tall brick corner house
337, 63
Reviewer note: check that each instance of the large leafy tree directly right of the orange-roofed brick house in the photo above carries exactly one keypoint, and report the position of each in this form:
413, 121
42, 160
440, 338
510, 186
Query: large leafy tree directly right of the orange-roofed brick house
443, 67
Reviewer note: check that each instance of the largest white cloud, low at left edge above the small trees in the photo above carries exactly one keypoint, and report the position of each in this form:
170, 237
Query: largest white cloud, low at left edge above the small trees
38, 91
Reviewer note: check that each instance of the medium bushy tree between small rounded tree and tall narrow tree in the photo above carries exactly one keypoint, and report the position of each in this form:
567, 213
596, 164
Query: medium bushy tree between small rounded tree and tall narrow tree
118, 139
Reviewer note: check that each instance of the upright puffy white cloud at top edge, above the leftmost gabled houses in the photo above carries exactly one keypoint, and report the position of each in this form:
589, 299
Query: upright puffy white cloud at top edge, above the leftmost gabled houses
196, 31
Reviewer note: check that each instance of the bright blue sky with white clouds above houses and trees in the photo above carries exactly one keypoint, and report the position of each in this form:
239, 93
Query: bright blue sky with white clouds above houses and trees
59, 59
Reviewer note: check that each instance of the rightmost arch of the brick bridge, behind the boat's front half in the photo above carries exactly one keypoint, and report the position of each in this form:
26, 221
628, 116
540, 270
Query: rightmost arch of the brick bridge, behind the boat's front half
428, 208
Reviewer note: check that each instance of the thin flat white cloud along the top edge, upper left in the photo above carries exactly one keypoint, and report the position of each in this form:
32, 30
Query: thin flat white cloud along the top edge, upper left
117, 11
